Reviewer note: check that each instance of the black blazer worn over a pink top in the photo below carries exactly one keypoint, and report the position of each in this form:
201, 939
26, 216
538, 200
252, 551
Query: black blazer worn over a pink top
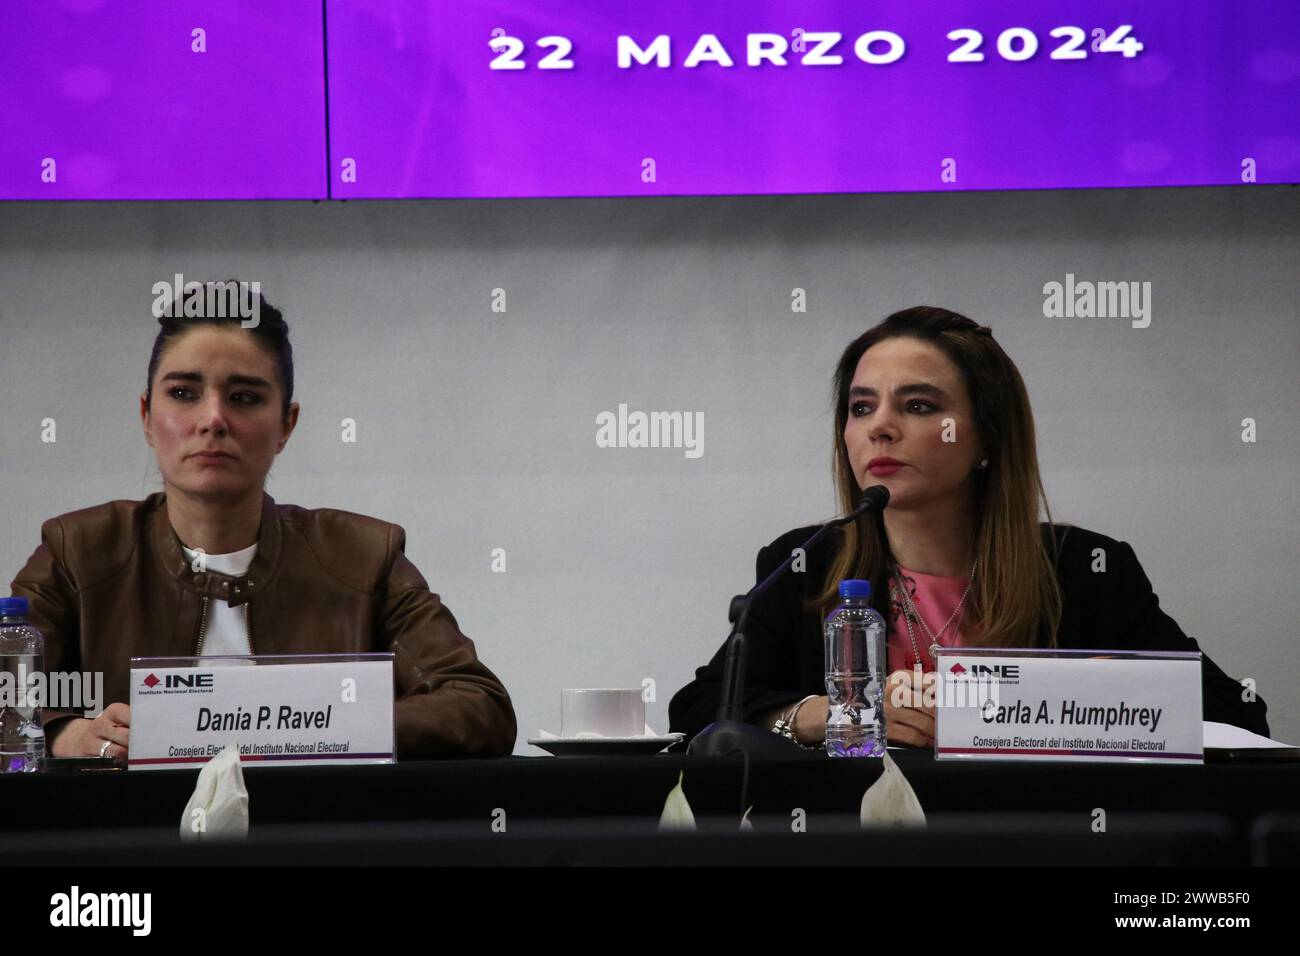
1116, 611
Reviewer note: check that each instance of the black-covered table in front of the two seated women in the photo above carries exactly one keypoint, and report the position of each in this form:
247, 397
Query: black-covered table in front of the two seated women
554, 789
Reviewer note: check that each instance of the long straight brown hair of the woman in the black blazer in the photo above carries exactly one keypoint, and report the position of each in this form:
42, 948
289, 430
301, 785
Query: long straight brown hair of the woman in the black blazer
1016, 595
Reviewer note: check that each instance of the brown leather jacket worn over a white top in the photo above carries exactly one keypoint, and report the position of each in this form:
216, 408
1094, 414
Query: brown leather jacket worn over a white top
111, 583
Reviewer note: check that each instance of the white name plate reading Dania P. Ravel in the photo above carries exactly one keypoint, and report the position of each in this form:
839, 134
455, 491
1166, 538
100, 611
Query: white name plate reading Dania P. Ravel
285, 711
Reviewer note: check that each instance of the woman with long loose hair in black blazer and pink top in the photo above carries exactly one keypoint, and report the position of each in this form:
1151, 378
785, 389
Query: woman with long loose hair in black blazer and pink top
929, 405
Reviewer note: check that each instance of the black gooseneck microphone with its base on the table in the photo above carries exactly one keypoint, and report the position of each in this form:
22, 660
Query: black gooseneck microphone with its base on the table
730, 734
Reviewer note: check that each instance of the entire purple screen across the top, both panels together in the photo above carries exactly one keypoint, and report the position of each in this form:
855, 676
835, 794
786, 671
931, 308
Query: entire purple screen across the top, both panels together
110, 101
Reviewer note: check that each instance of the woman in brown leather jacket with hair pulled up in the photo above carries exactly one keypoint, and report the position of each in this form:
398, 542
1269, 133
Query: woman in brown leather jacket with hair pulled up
213, 565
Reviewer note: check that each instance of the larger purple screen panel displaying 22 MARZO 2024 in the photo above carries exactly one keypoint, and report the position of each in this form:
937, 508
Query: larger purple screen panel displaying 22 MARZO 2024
417, 107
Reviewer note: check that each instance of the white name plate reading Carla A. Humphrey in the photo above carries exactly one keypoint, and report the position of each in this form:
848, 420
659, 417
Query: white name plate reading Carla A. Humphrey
1069, 706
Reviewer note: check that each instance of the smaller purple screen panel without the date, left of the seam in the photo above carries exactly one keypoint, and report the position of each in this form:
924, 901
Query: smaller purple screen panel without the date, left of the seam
116, 96
